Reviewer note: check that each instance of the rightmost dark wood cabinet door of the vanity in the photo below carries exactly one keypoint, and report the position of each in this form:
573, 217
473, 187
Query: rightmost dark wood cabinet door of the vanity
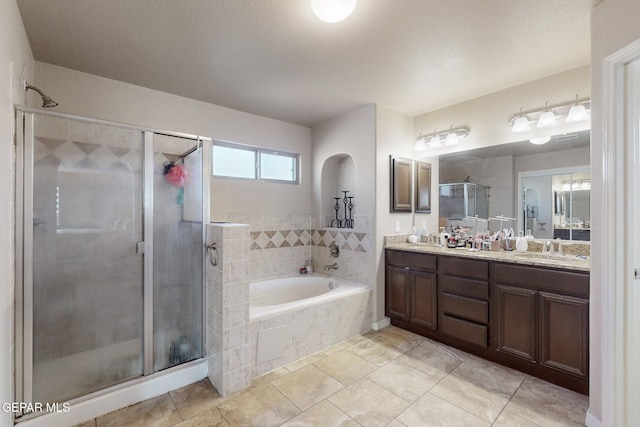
564, 332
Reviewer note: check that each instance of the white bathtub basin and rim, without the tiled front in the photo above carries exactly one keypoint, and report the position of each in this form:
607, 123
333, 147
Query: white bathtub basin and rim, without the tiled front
272, 296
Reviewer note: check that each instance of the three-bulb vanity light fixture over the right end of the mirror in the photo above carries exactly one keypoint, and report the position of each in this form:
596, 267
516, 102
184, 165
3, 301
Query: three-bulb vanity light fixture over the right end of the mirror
548, 116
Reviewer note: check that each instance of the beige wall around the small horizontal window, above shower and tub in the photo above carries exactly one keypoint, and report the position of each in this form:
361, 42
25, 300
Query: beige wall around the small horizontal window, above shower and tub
94, 96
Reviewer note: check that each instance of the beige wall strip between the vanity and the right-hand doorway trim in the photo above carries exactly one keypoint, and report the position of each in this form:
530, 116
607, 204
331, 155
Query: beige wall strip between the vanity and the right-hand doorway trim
614, 24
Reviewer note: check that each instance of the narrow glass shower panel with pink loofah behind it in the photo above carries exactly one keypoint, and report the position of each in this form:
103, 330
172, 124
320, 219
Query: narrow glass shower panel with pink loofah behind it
178, 251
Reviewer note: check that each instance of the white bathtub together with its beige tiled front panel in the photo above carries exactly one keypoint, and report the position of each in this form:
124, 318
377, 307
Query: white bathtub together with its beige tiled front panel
293, 317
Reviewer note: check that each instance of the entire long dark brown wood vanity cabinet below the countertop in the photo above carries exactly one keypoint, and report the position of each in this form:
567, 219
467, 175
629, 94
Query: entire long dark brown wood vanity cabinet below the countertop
534, 319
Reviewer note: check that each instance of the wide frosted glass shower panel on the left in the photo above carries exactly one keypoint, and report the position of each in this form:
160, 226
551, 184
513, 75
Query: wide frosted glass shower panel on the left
86, 296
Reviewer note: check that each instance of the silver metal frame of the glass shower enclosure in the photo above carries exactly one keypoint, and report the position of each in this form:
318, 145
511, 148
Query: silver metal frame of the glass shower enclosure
23, 291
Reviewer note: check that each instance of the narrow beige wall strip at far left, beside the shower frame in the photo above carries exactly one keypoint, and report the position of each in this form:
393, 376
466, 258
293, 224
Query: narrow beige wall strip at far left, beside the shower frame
16, 65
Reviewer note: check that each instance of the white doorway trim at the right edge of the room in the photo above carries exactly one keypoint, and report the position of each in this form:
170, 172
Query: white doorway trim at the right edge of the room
616, 275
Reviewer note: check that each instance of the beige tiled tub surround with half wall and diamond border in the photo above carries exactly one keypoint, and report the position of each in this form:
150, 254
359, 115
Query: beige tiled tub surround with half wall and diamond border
265, 247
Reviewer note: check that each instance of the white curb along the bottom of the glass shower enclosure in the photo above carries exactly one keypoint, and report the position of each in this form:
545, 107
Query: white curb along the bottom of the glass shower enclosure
133, 392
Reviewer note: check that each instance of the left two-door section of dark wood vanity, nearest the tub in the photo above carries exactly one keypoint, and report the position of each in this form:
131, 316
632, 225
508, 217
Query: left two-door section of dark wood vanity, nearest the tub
411, 288
